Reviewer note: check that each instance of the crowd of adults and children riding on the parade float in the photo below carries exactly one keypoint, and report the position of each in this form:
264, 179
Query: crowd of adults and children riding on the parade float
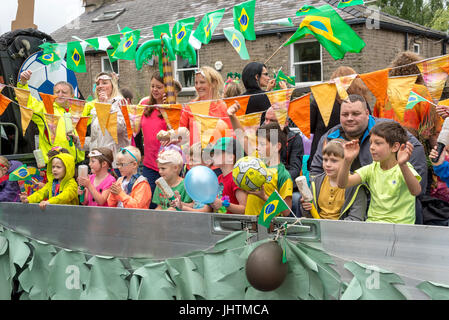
364, 165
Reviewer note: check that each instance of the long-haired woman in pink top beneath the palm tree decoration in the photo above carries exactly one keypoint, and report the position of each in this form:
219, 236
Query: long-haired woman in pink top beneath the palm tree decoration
152, 122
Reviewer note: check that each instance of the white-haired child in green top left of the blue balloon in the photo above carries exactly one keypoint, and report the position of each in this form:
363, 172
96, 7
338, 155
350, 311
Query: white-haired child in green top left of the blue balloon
170, 165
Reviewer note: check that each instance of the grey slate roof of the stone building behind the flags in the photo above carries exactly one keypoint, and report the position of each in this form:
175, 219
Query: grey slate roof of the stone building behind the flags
142, 14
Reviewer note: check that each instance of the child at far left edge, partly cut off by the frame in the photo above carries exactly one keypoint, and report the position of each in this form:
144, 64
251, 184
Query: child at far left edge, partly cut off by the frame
9, 190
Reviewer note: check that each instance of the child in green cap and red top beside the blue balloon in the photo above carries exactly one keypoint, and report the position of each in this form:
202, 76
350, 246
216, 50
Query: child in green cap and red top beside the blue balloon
224, 157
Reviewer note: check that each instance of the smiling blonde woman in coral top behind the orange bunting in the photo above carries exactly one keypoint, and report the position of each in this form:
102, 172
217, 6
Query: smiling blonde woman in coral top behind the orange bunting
209, 86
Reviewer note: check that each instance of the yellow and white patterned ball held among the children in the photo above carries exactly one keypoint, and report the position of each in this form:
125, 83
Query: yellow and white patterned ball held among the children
249, 173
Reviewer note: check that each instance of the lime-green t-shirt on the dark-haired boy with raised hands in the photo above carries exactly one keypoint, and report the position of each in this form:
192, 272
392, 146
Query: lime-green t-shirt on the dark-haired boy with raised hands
391, 201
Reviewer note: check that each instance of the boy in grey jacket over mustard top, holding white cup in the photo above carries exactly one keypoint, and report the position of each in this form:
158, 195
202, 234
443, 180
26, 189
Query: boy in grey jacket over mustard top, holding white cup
331, 201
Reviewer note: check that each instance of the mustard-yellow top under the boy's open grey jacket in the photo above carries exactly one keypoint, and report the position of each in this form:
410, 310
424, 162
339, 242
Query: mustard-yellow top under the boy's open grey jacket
330, 200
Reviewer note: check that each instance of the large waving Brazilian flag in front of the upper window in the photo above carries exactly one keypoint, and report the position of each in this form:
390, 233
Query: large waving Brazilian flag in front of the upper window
331, 31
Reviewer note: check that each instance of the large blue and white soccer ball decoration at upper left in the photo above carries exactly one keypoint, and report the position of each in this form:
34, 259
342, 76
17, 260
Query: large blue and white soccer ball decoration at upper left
45, 77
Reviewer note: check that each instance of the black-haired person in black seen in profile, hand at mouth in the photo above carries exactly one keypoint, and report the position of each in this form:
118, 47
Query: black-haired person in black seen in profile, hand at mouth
255, 77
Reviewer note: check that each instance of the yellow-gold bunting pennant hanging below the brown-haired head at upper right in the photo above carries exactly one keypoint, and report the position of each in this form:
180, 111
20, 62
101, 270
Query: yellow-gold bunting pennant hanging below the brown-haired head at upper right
398, 92
